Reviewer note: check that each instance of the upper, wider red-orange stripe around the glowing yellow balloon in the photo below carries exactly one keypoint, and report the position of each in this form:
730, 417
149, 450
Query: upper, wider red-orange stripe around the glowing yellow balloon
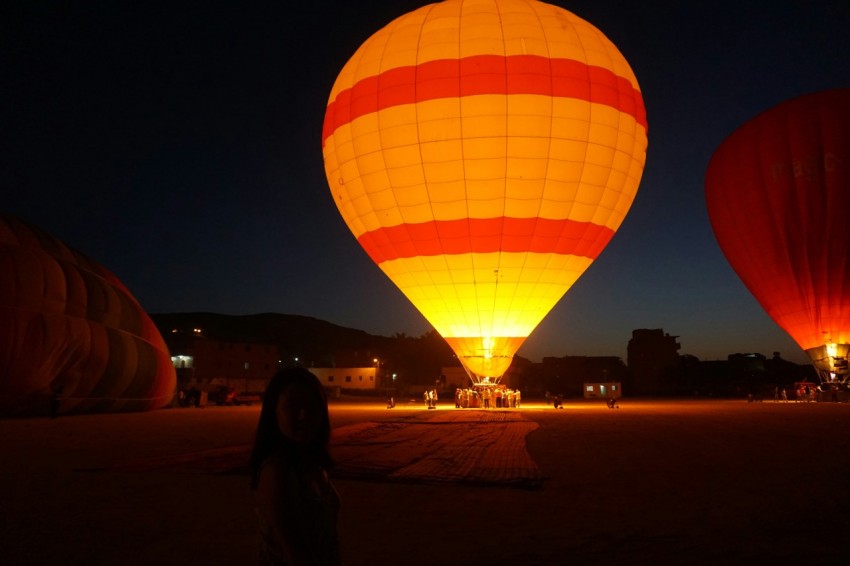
483, 74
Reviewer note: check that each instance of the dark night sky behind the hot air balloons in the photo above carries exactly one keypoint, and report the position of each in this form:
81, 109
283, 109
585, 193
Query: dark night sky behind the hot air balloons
180, 147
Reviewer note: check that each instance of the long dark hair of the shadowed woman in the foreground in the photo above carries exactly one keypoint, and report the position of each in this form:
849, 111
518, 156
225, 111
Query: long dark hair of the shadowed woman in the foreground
269, 438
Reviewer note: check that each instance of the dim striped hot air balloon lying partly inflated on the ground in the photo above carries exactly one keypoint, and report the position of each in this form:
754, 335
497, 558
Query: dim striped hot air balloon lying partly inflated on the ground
69, 328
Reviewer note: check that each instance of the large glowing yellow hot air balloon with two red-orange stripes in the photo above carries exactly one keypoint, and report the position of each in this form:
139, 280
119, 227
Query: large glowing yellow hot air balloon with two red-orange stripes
483, 153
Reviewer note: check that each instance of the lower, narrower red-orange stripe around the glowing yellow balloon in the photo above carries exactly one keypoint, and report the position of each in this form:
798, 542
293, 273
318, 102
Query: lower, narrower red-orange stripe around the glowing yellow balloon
486, 235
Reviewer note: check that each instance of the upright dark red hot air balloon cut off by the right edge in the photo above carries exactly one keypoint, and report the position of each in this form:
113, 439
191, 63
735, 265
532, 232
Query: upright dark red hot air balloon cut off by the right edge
778, 194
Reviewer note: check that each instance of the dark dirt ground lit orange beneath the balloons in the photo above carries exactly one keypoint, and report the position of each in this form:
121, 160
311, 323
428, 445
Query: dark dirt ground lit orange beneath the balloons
668, 482
